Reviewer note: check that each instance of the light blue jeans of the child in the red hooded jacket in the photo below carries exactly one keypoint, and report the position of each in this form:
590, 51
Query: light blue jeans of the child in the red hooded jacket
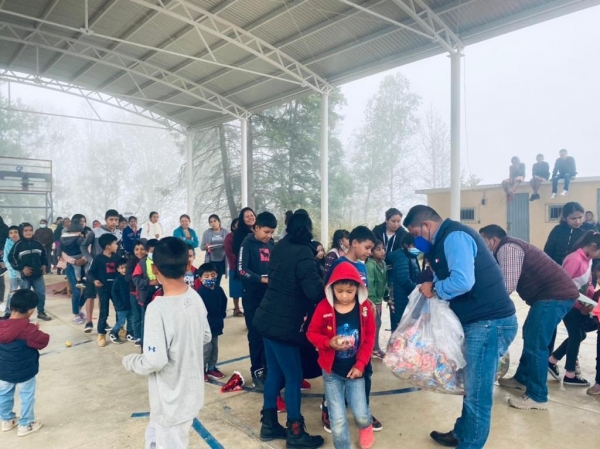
338, 391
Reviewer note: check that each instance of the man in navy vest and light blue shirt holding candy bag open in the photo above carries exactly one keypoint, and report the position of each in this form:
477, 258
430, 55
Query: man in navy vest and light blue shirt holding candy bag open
467, 275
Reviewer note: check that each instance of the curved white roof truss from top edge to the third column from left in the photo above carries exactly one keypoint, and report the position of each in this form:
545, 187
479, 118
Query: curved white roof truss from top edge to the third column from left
250, 43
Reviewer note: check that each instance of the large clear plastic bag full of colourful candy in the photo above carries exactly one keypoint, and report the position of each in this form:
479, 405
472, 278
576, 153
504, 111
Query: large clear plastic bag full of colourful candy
427, 348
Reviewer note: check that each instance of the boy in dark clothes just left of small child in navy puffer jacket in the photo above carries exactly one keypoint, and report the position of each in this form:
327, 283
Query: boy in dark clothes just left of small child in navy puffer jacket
102, 274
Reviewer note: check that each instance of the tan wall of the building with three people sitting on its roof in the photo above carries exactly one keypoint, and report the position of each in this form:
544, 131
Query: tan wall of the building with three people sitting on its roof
584, 190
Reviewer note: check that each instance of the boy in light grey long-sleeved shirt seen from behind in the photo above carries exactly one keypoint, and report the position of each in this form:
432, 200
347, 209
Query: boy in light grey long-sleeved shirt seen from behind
175, 332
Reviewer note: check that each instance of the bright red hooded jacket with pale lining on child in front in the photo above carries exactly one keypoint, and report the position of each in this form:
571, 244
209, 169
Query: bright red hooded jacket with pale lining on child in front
322, 327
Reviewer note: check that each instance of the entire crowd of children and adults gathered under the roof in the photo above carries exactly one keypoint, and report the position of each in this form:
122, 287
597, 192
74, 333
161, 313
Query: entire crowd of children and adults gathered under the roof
309, 313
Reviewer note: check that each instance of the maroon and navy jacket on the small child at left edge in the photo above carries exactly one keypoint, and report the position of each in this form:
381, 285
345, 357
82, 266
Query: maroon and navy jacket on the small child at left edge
20, 342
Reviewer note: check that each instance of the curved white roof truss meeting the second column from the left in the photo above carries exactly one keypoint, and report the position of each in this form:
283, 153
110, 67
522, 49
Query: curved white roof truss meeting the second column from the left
120, 61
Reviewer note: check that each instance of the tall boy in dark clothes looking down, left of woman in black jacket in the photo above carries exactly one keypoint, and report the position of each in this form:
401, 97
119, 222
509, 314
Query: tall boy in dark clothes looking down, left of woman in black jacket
253, 268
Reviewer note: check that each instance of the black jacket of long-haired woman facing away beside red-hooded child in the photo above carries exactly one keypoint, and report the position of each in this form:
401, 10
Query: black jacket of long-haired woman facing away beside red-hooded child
295, 288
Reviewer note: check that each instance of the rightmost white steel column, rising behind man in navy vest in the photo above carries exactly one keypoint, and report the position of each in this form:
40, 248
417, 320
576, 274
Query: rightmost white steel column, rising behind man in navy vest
455, 80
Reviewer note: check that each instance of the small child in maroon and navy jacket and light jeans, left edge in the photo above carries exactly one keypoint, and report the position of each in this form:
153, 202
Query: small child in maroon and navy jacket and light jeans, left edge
20, 342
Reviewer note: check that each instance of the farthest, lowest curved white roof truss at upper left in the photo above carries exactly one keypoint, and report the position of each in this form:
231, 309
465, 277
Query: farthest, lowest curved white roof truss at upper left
10, 76
